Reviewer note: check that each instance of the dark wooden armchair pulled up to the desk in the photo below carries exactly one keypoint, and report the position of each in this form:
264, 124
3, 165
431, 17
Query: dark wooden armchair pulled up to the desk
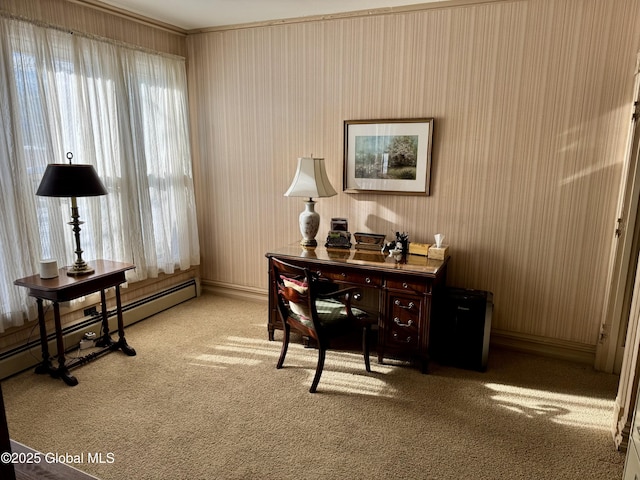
318, 310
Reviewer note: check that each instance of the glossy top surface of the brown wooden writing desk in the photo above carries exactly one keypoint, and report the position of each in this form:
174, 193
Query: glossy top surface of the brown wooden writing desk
415, 264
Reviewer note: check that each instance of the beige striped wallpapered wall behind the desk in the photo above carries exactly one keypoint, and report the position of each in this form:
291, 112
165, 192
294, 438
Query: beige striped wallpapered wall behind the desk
531, 101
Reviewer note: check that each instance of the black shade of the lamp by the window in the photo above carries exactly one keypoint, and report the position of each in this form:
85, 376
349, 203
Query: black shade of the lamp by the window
64, 180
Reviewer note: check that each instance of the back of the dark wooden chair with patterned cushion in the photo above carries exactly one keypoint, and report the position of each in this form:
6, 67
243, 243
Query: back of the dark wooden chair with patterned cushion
296, 291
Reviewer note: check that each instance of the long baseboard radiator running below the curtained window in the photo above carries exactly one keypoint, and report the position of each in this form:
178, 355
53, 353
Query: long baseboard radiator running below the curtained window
30, 354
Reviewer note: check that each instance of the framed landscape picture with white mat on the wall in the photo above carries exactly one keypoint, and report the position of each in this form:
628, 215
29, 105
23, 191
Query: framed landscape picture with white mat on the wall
388, 156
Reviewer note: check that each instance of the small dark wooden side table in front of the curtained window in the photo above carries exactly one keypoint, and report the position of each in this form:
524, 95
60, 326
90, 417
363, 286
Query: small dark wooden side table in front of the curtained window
64, 288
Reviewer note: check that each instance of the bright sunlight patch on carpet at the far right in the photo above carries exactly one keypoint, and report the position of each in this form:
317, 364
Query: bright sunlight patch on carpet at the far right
564, 409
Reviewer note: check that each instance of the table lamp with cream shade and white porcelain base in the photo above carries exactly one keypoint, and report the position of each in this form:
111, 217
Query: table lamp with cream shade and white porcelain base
311, 182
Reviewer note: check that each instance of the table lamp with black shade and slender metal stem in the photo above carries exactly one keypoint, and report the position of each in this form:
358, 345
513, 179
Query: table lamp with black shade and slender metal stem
72, 180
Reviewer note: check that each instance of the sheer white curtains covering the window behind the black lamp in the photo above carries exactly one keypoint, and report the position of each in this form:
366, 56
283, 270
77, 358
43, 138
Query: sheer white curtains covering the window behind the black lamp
122, 110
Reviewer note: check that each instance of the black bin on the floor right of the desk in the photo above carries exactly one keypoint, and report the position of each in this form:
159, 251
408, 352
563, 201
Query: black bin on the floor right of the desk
461, 329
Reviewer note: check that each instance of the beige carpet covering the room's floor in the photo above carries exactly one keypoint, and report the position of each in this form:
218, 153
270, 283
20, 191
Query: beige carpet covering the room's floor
203, 400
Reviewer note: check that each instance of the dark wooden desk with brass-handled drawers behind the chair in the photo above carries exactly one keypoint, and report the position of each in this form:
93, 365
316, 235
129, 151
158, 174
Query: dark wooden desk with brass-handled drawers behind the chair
407, 293
